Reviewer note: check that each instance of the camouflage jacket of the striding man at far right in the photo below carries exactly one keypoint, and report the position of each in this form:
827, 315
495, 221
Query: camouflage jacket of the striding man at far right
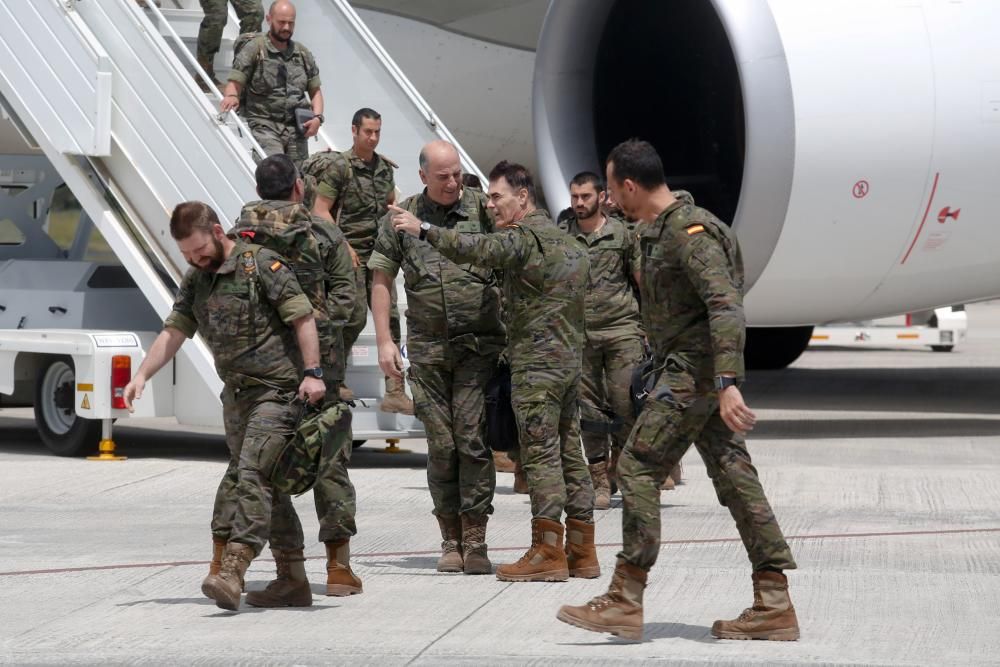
692, 290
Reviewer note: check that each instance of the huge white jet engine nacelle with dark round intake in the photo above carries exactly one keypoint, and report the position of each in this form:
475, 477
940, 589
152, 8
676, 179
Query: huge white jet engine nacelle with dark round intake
854, 145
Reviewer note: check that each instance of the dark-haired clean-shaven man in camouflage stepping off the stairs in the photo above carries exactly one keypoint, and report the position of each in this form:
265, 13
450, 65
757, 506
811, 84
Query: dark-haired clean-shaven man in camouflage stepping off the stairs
352, 191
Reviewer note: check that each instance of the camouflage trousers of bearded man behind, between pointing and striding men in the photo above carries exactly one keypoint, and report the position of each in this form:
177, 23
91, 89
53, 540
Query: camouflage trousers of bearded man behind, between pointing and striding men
605, 385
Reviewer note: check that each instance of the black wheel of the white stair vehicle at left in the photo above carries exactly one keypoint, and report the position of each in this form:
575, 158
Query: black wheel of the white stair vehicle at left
62, 431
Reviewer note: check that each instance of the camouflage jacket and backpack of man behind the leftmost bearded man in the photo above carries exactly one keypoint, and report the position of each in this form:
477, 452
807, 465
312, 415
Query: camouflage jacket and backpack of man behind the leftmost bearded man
316, 253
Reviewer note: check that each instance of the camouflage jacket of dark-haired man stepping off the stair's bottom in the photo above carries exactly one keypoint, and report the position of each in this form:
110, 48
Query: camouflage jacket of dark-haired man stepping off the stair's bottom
360, 192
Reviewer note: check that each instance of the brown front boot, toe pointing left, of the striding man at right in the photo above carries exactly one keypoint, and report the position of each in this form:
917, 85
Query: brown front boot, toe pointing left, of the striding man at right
619, 611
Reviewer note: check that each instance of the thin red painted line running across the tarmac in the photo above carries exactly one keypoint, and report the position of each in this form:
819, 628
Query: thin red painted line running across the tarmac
399, 554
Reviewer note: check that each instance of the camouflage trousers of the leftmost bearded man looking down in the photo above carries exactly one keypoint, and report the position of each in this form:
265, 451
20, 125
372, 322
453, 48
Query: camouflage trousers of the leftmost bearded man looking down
257, 420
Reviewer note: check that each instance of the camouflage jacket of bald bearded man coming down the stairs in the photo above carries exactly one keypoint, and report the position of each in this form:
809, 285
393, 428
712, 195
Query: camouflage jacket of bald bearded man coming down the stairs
276, 82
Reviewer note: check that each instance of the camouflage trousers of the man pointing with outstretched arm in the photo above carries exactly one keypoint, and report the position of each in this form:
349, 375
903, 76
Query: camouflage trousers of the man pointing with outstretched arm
545, 405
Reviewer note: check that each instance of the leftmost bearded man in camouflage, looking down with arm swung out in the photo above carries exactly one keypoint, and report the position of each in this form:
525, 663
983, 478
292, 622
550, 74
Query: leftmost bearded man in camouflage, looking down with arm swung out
259, 325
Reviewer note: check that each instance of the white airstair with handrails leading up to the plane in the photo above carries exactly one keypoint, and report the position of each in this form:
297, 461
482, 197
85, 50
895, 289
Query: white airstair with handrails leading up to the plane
106, 91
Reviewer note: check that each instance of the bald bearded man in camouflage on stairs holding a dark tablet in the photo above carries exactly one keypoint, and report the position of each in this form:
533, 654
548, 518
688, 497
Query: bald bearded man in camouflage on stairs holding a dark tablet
277, 75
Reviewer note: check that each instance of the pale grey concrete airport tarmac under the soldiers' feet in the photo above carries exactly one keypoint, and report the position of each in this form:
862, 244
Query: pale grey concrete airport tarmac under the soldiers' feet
883, 467
